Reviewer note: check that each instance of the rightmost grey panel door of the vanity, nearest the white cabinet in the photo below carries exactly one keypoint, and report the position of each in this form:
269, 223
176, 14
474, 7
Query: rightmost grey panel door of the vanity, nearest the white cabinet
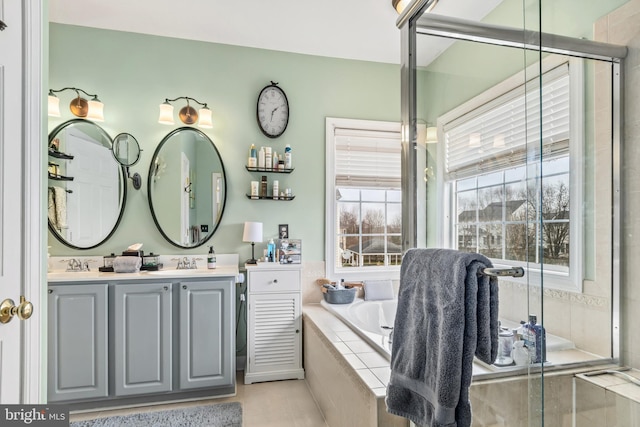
207, 341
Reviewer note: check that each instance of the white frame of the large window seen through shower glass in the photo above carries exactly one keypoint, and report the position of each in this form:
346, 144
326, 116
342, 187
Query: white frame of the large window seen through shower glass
446, 194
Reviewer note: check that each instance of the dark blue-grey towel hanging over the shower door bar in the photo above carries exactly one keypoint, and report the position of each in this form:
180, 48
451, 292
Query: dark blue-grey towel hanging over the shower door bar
447, 313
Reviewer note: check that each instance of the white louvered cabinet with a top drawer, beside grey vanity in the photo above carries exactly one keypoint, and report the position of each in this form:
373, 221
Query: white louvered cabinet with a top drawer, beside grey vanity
274, 323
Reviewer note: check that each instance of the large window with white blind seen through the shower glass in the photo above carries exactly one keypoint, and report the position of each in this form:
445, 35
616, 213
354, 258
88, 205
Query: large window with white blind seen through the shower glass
510, 190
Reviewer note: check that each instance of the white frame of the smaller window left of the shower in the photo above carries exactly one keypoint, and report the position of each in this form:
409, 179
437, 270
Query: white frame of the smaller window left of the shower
333, 271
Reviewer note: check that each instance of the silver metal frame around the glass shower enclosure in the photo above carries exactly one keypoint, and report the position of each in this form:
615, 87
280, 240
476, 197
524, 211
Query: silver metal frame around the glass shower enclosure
414, 21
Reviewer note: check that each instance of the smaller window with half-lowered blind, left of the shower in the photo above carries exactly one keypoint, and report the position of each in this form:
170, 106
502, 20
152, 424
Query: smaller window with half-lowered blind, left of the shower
364, 209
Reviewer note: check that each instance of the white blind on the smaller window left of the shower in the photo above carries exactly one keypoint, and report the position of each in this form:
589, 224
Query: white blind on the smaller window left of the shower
367, 158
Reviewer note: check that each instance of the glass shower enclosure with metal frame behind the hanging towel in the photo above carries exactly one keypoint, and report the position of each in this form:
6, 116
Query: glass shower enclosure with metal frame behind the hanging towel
521, 169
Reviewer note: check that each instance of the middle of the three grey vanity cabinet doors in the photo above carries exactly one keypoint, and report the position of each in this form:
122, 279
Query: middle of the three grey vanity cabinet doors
142, 319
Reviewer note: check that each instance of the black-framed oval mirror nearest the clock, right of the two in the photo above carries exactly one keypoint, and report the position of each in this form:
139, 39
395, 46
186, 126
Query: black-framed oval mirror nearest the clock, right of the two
187, 187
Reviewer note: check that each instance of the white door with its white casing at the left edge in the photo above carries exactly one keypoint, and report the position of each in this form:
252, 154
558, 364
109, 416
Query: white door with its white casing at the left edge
21, 207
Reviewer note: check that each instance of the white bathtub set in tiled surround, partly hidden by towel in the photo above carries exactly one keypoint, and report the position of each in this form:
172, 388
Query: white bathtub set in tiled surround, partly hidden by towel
373, 322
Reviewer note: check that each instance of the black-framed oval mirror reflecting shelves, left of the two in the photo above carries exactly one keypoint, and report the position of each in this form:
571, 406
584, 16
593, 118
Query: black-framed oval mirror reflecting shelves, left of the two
87, 188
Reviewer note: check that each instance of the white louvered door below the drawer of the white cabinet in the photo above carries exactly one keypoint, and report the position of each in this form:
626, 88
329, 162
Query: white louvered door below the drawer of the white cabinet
274, 338
